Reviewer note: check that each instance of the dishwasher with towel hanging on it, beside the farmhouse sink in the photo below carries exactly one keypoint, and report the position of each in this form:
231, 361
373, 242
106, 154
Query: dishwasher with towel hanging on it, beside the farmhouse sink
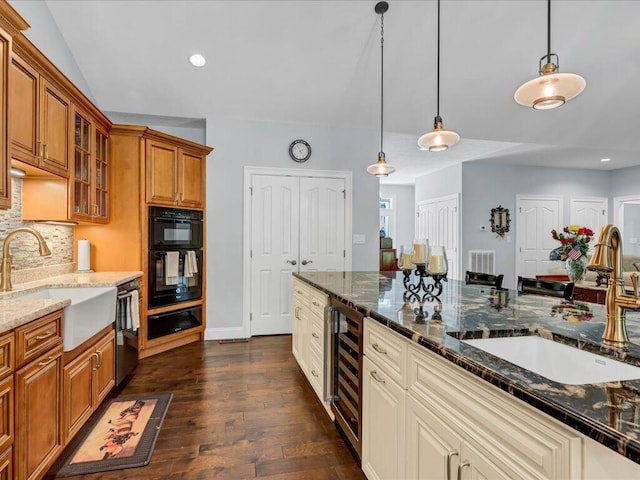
127, 323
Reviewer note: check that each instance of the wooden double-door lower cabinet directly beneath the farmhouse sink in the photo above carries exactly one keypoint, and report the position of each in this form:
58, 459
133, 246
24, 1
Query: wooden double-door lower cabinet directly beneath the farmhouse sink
87, 379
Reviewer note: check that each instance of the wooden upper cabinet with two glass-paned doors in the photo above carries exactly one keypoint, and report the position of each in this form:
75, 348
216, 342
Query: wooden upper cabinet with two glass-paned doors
89, 179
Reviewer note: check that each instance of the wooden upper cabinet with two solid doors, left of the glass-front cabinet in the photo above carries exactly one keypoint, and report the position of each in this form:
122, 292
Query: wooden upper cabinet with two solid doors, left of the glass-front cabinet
40, 117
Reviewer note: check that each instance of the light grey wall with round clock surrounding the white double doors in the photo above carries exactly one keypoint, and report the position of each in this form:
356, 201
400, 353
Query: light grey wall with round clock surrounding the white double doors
240, 143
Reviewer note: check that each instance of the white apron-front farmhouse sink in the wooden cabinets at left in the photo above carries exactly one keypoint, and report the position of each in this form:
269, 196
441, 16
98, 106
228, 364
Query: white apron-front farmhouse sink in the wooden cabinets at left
91, 310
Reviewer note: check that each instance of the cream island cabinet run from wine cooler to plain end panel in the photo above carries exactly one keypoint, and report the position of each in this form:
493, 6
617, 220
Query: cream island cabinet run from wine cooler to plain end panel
425, 418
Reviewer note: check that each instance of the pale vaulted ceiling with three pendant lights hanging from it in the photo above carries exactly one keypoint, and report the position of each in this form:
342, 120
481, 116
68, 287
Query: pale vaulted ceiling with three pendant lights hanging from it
318, 62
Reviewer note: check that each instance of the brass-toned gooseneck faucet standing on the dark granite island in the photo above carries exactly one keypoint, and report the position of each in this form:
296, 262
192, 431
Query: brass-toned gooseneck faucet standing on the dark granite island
607, 258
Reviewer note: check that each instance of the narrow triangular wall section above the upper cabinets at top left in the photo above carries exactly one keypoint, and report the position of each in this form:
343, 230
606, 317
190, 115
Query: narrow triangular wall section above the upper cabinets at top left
45, 35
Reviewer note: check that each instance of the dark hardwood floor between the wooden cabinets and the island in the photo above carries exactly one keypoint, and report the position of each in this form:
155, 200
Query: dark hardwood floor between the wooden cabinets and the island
239, 411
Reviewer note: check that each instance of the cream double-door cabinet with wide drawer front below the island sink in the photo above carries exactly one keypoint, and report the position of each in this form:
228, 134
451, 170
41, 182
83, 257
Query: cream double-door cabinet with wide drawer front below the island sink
497, 435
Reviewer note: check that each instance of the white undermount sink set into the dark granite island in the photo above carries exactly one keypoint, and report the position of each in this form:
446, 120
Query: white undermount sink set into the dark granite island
556, 361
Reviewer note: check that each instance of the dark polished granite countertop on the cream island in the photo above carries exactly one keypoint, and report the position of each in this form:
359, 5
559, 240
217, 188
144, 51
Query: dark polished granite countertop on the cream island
606, 412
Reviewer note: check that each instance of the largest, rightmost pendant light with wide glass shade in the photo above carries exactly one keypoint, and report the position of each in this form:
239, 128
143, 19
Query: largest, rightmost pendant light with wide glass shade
551, 89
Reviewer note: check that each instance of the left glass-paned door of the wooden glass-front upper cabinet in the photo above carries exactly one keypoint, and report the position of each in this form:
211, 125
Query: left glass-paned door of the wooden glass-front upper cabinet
81, 207
